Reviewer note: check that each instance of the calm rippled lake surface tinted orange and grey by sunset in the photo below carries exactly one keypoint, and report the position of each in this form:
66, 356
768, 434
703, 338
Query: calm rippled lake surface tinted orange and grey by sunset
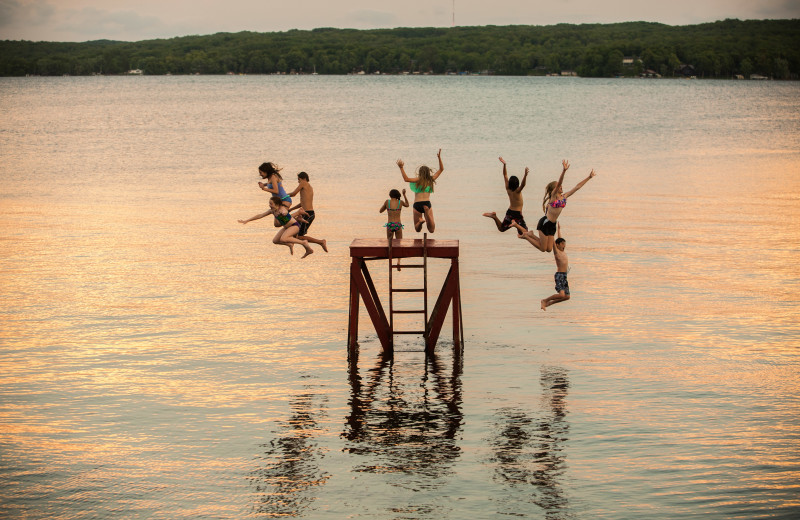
160, 360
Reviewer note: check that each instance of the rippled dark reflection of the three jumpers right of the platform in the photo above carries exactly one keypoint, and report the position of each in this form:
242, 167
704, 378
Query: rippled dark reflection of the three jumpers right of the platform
529, 451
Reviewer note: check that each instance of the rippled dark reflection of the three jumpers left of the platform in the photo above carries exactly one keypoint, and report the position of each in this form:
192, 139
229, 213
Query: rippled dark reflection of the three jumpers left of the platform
291, 477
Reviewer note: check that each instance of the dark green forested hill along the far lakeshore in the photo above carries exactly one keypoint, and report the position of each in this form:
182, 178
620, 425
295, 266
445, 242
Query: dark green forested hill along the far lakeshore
713, 50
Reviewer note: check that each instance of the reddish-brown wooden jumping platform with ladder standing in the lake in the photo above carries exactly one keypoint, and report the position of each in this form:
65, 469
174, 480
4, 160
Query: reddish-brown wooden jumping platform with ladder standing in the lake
363, 289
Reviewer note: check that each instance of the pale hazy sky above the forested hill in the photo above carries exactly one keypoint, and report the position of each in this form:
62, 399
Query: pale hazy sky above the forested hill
135, 20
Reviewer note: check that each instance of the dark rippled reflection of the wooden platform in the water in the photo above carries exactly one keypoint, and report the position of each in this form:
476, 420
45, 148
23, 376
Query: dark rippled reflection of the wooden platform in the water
407, 429
